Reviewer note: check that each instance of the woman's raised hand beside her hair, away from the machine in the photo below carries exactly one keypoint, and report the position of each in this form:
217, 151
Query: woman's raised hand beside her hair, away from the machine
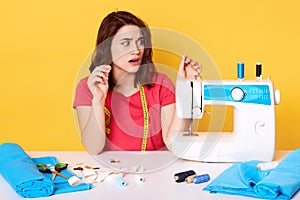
98, 82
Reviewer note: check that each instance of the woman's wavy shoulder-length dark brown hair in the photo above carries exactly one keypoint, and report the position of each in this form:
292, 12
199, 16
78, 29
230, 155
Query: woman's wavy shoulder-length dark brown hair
102, 53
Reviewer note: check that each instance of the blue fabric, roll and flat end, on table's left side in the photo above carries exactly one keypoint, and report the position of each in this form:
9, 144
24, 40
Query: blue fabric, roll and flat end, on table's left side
20, 171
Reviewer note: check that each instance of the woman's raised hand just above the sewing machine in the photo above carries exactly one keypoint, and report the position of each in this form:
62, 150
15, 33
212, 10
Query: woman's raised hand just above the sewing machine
189, 69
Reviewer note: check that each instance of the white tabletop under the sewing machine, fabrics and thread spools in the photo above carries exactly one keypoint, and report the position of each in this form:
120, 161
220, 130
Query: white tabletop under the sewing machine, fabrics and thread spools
159, 177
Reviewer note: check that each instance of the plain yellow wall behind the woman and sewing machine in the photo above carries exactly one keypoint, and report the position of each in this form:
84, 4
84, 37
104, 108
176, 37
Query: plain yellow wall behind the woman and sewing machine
44, 43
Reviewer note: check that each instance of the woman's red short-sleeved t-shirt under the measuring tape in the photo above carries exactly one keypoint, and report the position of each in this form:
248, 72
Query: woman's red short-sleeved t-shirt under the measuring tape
126, 114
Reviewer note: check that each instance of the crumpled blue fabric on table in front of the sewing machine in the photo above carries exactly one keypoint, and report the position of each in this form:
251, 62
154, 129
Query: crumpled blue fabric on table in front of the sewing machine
245, 179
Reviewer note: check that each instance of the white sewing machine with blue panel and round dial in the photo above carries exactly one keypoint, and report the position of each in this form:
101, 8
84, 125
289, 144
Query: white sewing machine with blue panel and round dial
253, 135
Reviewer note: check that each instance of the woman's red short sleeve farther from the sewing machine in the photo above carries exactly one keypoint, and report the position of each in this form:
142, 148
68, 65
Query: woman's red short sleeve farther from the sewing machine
83, 96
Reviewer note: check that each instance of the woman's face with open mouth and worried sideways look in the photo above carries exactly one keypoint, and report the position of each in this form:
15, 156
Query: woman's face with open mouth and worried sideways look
127, 48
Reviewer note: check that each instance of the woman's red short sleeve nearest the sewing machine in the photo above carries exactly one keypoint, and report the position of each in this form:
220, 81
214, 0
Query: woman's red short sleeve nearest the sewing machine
167, 93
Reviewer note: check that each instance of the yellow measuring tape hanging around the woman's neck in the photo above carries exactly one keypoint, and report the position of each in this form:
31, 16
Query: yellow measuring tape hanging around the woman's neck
146, 118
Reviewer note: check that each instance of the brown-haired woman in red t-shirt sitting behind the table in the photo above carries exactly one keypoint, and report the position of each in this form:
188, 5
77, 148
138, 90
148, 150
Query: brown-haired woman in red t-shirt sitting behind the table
125, 104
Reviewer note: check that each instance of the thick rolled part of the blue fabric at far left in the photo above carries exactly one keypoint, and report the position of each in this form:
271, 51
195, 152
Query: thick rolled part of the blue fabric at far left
18, 169
